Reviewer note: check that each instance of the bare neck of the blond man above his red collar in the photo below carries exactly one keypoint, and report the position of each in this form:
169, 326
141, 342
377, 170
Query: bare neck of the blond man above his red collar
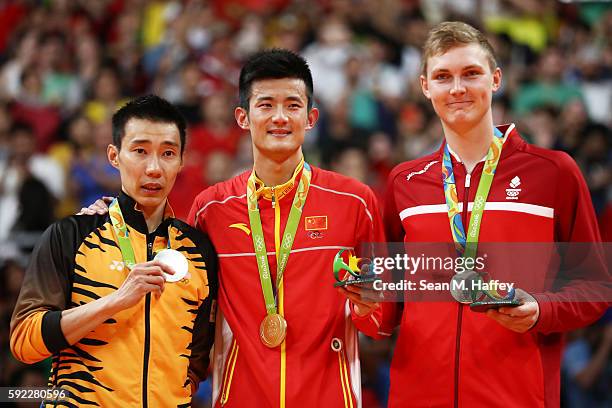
471, 144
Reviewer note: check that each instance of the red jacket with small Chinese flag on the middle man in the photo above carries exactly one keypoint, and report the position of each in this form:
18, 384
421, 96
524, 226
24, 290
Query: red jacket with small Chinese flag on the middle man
315, 311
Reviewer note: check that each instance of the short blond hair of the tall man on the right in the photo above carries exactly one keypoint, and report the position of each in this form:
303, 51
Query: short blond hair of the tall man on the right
450, 34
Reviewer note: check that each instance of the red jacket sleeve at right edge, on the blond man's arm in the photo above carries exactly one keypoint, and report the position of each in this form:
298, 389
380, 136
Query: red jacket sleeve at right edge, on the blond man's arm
586, 296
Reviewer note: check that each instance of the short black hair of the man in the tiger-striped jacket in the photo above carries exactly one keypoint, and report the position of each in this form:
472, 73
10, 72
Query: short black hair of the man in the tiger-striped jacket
148, 107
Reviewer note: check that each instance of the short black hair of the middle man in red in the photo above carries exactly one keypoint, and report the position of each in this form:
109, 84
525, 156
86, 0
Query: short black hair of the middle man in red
274, 63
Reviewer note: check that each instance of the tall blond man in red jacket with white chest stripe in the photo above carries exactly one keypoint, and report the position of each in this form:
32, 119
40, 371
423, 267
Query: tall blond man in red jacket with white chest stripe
485, 185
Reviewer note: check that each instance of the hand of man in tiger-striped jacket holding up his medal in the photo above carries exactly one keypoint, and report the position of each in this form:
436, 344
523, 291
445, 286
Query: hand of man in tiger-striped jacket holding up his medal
144, 278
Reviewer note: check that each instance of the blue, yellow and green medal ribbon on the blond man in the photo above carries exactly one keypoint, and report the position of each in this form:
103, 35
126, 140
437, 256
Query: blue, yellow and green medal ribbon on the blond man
466, 245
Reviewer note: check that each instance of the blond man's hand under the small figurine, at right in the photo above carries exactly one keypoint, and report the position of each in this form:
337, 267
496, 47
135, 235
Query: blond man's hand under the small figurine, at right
520, 318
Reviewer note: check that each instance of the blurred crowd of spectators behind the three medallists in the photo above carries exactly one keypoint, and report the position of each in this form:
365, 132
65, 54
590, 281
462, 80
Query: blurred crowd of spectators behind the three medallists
66, 65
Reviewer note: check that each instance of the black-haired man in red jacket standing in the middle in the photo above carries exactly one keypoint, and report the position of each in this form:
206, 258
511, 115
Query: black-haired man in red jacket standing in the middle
317, 364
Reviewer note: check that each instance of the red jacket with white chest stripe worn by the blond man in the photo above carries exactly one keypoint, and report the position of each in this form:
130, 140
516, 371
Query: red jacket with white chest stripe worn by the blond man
470, 360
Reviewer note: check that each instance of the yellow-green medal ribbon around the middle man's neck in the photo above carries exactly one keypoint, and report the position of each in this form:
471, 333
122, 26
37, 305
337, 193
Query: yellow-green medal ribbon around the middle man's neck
259, 242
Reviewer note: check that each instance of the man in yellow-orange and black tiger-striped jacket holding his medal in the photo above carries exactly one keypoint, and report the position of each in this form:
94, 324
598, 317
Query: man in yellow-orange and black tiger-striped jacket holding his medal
120, 330
